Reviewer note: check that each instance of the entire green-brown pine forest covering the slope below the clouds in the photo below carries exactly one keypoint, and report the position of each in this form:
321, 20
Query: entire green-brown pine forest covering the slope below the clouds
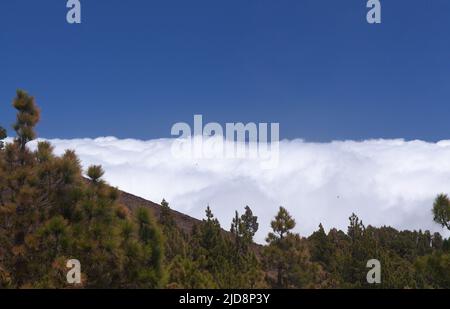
52, 211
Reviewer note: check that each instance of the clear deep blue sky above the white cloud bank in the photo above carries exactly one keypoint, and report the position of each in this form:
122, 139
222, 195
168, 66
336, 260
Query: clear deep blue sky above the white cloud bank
133, 68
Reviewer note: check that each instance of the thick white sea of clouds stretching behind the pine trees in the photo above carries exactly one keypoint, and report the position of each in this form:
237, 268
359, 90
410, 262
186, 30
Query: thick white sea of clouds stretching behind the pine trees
385, 182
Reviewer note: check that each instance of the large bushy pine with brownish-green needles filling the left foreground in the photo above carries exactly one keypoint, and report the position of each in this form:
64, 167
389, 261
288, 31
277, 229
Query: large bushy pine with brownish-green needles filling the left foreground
49, 214
